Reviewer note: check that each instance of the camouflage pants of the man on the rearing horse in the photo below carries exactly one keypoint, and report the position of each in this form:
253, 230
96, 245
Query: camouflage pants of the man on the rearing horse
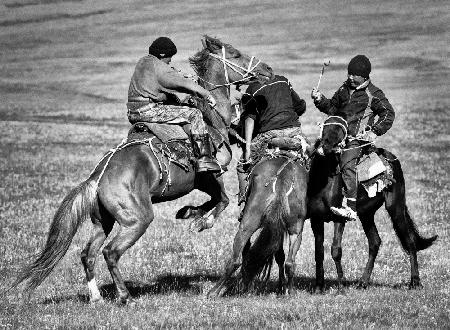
168, 114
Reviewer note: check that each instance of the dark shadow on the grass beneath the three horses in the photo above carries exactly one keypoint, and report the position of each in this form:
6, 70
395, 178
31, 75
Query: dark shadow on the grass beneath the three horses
193, 284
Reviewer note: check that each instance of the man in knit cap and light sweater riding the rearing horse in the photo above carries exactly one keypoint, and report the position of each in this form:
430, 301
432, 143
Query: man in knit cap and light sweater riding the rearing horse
152, 98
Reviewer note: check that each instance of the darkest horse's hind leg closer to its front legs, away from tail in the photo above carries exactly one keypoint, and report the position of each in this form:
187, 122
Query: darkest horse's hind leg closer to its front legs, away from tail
374, 241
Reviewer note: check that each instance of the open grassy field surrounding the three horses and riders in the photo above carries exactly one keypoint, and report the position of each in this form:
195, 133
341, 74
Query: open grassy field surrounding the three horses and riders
64, 74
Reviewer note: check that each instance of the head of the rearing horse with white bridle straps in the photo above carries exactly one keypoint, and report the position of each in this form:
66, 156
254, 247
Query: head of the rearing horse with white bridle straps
226, 65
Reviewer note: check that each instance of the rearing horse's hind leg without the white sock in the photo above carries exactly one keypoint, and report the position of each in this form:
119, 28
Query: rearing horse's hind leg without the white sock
134, 221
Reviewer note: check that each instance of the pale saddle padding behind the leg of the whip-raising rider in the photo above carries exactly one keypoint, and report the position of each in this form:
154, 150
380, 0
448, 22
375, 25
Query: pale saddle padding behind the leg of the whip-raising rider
374, 172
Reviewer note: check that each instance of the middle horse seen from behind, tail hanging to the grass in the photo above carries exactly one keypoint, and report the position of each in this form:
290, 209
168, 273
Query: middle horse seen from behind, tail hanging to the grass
276, 203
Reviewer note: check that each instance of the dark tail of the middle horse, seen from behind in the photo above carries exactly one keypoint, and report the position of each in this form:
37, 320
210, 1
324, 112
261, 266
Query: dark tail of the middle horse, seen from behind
258, 260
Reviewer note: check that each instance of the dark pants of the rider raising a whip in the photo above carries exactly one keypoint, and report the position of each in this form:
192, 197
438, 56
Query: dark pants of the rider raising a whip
349, 160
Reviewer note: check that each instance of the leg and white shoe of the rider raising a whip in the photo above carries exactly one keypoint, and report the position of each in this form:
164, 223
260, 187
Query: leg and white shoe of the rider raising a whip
349, 159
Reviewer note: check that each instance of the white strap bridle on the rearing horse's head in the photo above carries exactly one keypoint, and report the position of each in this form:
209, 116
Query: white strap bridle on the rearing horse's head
246, 73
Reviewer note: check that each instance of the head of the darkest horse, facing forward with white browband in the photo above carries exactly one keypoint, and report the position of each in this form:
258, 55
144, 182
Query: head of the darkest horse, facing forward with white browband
332, 135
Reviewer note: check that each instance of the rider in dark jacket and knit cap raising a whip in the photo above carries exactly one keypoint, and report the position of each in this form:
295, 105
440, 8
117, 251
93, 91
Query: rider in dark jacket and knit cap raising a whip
358, 101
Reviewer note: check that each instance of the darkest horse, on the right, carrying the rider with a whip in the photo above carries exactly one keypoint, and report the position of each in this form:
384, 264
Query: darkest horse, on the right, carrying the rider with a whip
325, 190
